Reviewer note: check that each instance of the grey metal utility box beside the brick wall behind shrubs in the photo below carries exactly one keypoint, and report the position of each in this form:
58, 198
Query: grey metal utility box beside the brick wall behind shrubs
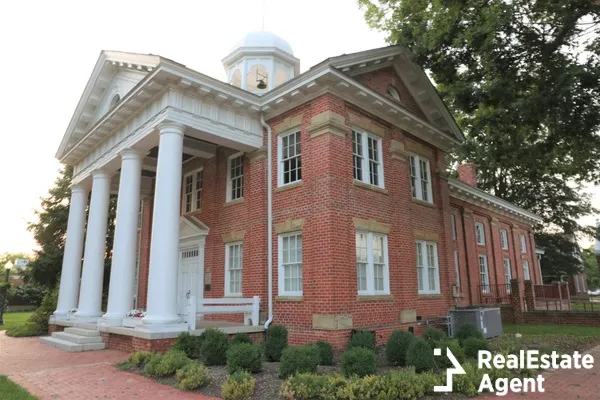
487, 320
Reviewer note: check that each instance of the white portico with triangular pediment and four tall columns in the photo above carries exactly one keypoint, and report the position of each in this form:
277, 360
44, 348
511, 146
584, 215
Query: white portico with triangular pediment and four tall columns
136, 148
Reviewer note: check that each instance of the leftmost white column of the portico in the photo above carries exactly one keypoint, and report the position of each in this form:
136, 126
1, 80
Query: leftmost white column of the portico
71, 269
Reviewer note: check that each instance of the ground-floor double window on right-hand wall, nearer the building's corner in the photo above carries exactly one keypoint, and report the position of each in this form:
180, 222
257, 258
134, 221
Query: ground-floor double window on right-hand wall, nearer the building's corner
372, 273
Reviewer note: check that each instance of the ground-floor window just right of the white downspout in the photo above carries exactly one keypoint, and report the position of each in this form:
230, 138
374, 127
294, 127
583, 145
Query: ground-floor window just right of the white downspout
290, 264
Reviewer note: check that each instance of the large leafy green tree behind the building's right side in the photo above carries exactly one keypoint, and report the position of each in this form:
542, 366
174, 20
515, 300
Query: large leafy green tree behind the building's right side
522, 78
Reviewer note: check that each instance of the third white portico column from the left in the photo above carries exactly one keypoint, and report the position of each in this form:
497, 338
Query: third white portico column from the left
122, 273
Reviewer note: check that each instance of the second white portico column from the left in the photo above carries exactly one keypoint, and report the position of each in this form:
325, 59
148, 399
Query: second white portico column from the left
90, 295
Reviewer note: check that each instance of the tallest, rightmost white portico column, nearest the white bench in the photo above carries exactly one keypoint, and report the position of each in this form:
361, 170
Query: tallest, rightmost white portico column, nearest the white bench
164, 245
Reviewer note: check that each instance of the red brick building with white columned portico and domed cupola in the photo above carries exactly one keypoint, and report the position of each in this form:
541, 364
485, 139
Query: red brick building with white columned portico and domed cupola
317, 200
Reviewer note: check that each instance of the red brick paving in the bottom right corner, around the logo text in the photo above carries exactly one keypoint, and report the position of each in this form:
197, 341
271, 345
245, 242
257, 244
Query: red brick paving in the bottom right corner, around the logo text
562, 384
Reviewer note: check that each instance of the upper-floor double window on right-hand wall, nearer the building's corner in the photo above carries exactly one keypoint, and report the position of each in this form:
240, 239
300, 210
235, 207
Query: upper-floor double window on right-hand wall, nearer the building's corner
367, 157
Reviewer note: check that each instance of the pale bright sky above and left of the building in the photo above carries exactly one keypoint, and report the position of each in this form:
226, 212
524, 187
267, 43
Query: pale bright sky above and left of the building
49, 49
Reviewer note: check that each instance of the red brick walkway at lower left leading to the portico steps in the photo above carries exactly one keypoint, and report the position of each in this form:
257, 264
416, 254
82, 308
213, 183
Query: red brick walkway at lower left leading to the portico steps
52, 374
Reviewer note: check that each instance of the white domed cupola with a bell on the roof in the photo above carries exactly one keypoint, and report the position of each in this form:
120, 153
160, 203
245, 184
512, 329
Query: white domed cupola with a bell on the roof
260, 61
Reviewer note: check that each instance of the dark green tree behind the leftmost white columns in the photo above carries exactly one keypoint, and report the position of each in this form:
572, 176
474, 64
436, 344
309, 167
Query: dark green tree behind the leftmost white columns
50, 231
